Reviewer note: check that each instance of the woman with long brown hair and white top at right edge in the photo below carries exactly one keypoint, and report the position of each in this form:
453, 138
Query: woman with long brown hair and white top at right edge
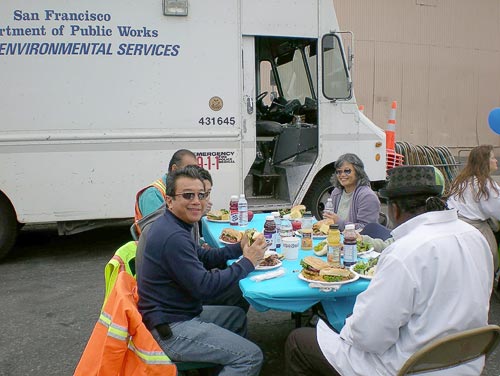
476, 196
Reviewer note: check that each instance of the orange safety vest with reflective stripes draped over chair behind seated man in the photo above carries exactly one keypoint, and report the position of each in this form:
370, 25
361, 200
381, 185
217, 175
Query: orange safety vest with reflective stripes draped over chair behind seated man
120, 344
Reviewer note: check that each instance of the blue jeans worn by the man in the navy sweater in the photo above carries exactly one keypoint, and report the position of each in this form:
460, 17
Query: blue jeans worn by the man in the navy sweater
214, 336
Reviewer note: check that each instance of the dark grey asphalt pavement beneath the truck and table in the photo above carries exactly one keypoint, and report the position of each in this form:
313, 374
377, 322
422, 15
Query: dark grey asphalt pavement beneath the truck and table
52, 290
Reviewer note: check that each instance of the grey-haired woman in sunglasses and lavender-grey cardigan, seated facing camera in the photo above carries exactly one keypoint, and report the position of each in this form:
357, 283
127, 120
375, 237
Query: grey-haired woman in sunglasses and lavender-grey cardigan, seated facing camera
353, 199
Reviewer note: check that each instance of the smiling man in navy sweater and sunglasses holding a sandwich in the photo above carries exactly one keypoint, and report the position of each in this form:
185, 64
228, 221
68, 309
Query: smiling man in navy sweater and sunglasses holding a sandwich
176, 276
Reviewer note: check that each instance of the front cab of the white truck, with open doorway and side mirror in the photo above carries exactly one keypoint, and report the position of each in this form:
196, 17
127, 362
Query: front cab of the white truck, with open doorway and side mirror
305, 116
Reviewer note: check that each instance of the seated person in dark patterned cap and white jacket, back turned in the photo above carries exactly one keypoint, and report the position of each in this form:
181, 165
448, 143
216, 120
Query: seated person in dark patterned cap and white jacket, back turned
434, 280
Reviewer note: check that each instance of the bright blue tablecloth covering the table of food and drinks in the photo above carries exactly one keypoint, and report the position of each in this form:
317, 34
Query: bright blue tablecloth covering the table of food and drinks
289, 293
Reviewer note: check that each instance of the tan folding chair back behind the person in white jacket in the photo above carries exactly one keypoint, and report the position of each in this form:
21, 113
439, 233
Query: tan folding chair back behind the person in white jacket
453, 350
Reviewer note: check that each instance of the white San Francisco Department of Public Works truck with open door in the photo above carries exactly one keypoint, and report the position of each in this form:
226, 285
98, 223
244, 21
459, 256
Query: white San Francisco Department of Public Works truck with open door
97, 96
